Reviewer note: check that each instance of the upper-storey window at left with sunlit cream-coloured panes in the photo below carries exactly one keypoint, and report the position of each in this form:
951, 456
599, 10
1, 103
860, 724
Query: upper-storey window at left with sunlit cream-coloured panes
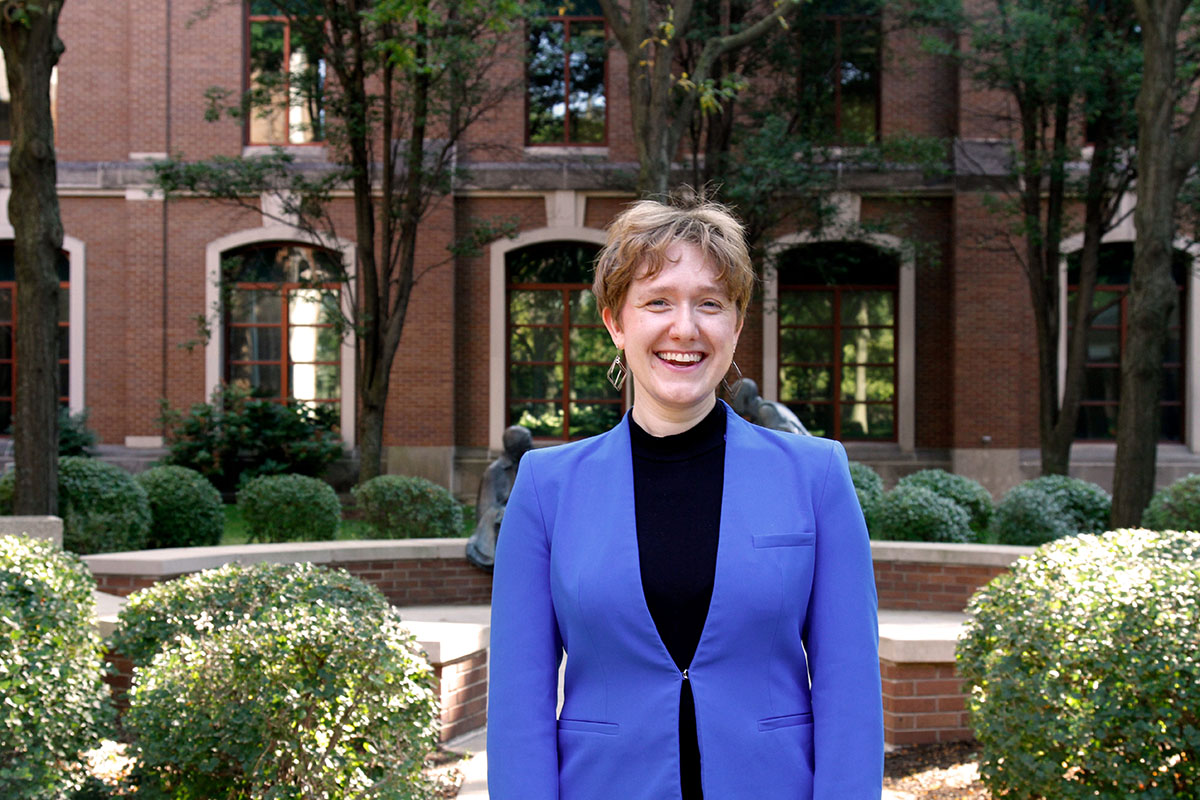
285, 76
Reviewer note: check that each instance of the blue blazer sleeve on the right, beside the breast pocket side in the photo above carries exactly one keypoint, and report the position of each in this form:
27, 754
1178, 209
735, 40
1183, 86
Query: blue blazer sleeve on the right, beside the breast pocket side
842, 642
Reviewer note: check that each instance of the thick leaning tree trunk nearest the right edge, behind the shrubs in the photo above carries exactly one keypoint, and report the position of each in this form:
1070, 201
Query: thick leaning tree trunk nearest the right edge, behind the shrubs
1151, 288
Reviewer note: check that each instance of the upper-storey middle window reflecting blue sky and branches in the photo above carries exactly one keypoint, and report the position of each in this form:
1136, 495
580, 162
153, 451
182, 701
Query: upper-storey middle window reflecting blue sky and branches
566, 77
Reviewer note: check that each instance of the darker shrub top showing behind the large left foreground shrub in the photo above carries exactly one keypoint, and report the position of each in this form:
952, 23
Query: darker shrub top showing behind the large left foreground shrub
217, 599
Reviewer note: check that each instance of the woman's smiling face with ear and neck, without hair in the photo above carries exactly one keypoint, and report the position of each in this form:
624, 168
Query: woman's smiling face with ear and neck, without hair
679, 330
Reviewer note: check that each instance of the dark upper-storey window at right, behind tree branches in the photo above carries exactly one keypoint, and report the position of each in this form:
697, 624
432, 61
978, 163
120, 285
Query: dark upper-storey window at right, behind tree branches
838, 45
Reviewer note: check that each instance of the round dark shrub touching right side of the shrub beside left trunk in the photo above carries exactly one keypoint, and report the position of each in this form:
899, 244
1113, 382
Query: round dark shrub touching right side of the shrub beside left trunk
185, 509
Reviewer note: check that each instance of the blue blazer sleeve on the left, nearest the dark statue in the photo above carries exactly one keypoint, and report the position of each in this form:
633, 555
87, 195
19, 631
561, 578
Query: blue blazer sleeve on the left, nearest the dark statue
526, 649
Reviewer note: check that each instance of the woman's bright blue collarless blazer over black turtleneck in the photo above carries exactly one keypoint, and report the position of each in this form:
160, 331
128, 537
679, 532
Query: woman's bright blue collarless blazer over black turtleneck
787, 677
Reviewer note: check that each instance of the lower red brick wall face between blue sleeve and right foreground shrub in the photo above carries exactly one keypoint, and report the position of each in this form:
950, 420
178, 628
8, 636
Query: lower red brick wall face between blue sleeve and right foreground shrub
923, 703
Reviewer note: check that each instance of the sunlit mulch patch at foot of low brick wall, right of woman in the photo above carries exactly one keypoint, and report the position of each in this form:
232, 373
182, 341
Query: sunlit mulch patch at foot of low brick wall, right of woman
943, 772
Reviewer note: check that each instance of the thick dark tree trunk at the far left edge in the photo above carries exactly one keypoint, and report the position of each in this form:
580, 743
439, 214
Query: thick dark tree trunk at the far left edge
32, 49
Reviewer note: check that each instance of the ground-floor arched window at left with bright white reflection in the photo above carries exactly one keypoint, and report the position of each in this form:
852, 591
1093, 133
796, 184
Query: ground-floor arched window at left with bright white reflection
281, 312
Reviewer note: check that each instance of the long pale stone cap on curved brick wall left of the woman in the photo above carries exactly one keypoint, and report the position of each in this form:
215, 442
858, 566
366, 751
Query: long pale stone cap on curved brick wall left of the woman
181, 561
